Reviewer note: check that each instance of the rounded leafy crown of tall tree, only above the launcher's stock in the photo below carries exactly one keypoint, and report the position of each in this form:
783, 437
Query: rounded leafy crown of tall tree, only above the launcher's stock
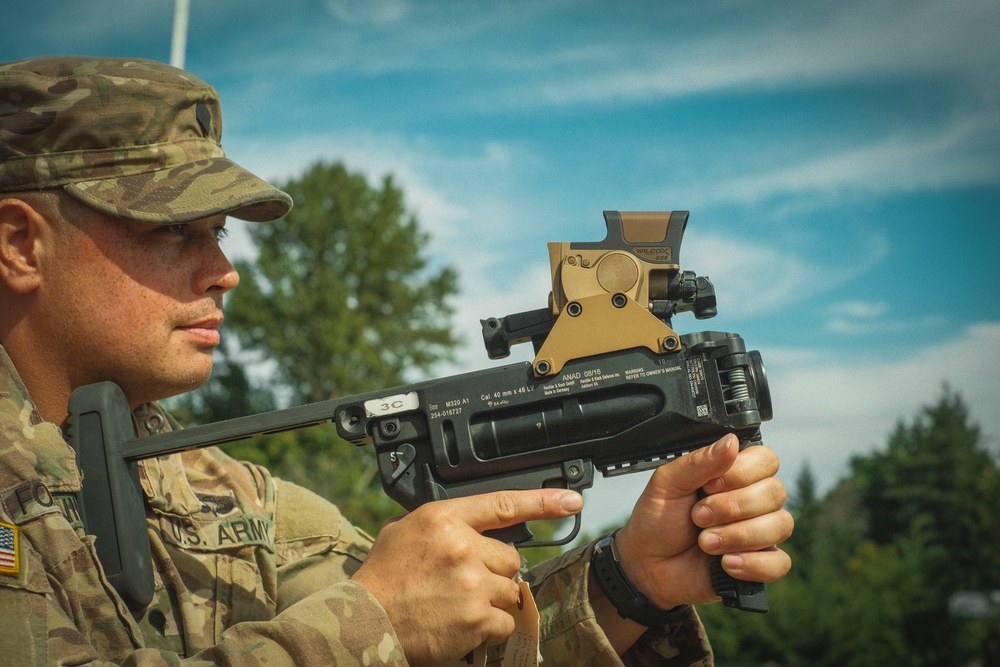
341, 296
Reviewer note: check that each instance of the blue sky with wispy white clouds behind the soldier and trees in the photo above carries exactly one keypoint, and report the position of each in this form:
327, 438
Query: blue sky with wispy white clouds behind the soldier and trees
841, 162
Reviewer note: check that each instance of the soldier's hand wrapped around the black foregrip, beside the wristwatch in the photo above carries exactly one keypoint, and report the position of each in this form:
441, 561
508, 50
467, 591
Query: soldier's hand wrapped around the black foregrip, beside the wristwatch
666, 545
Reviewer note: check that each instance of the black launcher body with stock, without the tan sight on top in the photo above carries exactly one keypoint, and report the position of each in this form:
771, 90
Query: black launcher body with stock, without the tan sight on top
495, 429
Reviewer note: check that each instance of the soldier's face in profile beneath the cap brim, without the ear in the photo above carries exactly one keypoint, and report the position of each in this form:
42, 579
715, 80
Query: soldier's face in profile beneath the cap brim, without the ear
141, 303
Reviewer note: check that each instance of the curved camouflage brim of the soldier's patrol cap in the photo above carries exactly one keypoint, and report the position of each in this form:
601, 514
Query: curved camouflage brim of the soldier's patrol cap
185, 193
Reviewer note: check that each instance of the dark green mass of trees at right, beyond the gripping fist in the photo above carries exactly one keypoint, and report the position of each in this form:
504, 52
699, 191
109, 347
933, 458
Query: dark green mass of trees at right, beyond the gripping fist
877, 561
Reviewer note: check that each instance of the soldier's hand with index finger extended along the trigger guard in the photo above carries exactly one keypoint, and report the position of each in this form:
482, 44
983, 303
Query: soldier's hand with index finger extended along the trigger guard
443, 585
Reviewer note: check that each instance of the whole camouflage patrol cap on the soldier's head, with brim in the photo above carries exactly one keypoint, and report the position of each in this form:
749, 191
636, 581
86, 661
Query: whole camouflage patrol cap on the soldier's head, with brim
136, 139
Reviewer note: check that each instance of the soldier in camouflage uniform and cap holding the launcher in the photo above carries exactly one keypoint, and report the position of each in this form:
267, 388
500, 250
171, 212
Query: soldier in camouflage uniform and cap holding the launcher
114, 192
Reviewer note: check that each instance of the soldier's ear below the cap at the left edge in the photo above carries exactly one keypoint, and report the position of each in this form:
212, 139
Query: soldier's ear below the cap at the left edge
21, 227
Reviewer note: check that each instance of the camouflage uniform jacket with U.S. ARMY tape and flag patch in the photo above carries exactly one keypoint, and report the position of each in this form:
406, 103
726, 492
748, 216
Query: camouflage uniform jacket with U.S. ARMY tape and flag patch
248, 570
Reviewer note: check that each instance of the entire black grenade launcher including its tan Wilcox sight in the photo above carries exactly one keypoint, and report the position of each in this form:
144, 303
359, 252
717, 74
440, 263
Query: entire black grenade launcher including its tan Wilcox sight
612, 386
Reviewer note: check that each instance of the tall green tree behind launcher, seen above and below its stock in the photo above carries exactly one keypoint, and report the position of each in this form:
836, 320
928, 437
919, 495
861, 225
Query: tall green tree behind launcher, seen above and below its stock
341, 300
